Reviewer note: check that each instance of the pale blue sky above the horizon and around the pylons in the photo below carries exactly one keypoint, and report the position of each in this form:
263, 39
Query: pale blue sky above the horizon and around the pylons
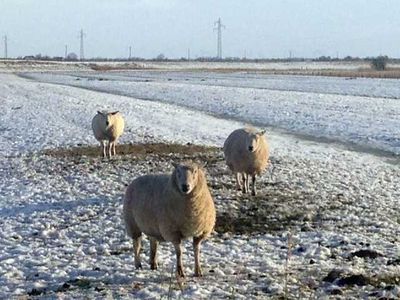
269, 28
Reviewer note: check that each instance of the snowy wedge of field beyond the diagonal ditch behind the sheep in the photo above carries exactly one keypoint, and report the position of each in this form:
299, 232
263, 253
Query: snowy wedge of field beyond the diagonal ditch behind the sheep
323, 107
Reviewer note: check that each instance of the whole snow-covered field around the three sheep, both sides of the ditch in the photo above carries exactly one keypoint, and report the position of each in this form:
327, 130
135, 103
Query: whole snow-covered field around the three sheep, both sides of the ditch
61, 232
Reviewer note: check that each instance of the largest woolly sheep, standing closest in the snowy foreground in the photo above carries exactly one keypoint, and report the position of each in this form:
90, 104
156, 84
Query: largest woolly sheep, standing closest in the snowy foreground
170, 208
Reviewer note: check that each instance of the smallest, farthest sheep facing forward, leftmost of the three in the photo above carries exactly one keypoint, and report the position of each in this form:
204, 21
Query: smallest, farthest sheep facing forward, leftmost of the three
107, 128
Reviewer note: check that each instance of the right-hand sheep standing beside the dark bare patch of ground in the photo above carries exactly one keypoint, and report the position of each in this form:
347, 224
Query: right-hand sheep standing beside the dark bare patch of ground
246, 153
